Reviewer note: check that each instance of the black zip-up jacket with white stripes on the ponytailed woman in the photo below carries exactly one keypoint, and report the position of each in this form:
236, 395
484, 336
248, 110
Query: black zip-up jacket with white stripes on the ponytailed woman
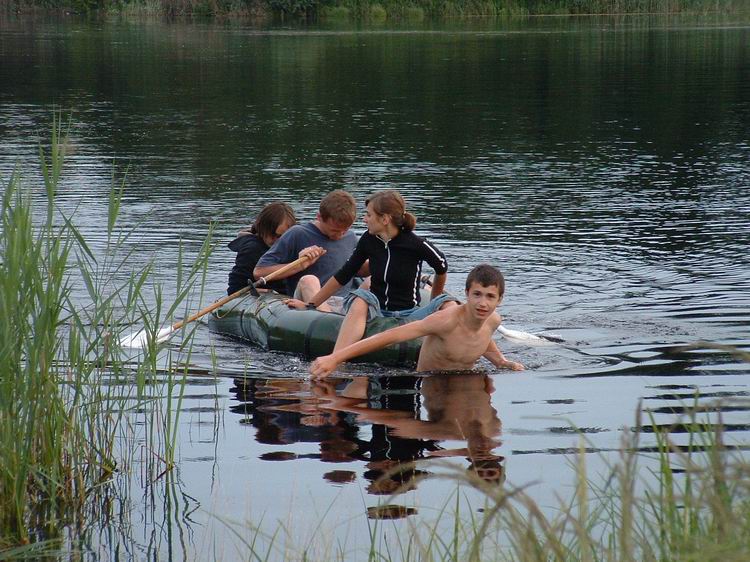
395, 267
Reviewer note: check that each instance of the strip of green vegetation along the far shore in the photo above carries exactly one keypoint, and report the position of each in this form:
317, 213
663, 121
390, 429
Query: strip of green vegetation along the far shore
369, 10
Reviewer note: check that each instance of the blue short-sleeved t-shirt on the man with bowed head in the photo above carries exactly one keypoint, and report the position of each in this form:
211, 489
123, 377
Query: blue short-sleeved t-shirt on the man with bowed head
287, 249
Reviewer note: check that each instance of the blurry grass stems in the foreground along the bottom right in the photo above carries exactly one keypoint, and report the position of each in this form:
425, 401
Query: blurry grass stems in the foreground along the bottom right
660, 501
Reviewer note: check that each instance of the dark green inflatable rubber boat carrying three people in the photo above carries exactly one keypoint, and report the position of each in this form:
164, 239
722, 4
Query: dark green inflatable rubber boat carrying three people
268, 323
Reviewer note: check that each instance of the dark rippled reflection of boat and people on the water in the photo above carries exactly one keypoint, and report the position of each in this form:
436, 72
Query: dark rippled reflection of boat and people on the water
387, 423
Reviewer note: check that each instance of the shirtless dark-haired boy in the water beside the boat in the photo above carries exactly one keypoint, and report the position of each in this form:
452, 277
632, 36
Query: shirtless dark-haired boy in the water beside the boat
454, 338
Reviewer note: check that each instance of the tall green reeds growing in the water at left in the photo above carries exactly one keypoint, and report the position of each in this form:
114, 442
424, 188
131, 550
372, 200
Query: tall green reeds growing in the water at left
68, 392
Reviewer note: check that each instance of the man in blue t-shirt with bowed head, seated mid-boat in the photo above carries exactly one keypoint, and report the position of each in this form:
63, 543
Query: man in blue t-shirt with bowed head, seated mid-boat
327, 241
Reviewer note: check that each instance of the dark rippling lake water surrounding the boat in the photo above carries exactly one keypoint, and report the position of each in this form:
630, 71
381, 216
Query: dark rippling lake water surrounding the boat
602, 163
